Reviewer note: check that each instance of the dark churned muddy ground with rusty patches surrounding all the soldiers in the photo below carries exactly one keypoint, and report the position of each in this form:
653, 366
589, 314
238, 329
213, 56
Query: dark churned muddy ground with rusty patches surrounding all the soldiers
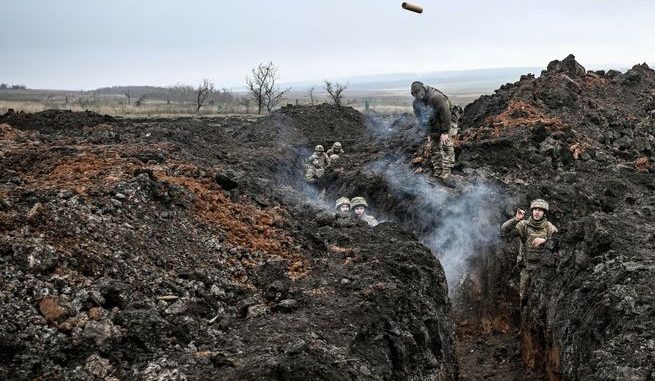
191, 249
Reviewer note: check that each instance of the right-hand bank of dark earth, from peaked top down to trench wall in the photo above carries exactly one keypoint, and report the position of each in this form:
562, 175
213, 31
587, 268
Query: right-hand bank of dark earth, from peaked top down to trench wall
584, 141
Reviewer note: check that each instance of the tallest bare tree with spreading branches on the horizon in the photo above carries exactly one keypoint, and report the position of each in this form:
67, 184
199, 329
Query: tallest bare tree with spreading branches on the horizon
263, 87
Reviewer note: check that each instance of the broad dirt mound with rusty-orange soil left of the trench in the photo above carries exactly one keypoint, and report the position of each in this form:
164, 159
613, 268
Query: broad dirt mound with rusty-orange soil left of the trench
179, 249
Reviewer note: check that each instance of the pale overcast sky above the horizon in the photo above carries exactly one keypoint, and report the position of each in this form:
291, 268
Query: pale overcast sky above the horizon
85, 44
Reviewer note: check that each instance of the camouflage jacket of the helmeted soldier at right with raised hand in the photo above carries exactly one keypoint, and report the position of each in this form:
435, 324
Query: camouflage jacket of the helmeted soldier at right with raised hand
527, 231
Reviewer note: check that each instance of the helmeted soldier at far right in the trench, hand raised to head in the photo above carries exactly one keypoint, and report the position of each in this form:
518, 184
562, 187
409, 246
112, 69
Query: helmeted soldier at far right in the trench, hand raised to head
532, 234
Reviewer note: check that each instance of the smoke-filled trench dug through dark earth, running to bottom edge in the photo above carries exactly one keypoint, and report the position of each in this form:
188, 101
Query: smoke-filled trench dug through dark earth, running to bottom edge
461, 227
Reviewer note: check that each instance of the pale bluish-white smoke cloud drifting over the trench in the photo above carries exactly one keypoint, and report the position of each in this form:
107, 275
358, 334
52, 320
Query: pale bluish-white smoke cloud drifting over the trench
454, 224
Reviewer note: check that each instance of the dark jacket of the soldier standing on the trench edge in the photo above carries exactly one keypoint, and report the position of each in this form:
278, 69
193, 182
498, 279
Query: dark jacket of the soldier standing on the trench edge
434, 111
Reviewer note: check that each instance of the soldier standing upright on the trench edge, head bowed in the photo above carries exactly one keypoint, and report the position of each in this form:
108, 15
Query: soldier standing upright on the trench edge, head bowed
435, 112
